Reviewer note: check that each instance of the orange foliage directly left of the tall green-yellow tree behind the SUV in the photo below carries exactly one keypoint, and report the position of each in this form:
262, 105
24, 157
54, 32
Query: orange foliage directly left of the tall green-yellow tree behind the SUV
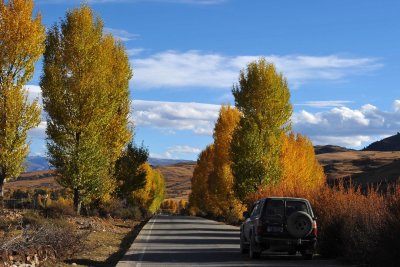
215, 196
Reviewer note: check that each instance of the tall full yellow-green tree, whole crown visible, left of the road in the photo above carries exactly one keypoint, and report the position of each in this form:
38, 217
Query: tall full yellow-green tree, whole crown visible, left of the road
85, 84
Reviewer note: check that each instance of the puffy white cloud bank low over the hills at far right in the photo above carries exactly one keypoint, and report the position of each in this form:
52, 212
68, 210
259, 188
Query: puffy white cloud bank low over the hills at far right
347, 127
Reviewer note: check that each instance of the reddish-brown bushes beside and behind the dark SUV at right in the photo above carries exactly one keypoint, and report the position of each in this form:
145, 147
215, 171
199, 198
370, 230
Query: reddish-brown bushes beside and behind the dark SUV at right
361, 227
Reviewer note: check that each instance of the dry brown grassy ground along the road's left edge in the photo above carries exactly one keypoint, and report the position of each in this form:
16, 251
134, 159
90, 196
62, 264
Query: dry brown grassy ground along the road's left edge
106, 240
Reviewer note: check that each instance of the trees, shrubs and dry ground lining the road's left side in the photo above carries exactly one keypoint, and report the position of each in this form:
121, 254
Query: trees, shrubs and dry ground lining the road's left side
108, 188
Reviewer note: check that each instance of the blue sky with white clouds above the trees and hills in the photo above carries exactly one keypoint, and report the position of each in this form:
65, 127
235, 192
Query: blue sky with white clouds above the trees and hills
341, 59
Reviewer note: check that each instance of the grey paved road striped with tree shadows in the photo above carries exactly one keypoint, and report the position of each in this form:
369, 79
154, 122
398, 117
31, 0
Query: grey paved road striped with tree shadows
192, 241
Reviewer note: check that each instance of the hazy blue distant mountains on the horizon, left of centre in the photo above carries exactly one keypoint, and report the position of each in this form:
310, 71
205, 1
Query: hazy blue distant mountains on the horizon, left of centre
40, 163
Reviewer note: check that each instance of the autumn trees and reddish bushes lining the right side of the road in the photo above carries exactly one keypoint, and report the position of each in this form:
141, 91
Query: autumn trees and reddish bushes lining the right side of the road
255, 154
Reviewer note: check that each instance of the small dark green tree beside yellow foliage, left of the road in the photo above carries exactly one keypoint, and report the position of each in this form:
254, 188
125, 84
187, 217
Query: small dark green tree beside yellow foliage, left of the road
129, 175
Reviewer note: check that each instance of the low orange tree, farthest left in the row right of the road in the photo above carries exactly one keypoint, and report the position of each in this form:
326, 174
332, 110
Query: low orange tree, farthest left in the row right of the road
198, 198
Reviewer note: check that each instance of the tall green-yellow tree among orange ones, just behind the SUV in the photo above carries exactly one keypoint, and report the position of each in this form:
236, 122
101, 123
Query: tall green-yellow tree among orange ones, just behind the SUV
263, 98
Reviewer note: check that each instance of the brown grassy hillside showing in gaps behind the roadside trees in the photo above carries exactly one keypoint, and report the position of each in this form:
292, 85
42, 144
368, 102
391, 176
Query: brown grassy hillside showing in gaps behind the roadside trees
362, 166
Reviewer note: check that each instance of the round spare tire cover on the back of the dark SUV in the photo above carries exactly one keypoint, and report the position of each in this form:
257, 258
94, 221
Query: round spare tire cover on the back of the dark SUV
299, 224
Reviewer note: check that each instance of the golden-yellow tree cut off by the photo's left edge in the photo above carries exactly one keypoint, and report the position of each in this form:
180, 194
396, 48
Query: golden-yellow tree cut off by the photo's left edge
21, 45
